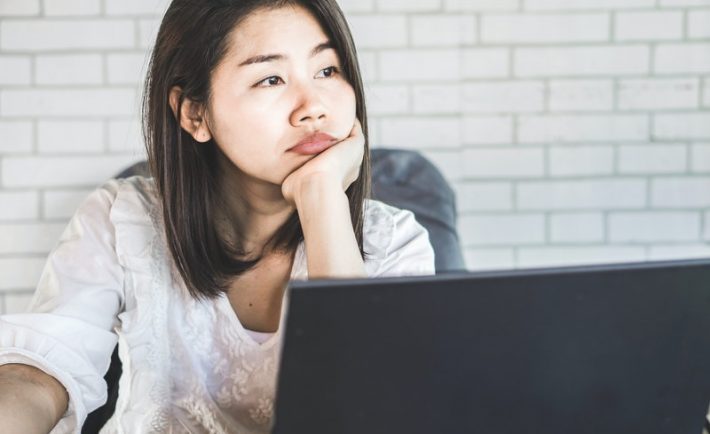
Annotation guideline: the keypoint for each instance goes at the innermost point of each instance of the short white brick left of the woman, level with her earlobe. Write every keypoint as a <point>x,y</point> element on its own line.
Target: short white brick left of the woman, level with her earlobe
<point>70,136</point>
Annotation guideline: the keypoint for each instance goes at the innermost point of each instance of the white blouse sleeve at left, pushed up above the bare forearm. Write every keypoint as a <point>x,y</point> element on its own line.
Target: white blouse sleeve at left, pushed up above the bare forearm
<point>67,331</point>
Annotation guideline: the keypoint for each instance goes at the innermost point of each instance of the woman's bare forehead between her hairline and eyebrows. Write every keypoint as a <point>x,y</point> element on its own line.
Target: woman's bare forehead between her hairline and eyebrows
<point>289,28</point>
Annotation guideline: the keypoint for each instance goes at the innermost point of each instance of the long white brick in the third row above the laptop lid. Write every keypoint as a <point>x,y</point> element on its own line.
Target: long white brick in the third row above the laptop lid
<point>582,194</point>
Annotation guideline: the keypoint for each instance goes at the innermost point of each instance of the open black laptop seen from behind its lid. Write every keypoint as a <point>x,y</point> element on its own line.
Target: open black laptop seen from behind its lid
<point>607,349</point>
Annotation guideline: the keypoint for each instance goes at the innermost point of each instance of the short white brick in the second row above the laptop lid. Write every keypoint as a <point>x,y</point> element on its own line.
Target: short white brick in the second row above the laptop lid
<point>577,227</point>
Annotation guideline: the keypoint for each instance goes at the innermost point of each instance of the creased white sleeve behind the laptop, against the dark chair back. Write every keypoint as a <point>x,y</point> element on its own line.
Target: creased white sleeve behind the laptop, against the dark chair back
<point>408,251</point>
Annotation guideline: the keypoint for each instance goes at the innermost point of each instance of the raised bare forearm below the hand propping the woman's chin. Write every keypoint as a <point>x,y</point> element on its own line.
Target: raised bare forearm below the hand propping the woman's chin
<point>331,247</point>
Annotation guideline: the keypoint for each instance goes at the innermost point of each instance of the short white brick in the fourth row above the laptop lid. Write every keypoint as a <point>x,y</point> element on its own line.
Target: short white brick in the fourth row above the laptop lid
<point>581,160</point>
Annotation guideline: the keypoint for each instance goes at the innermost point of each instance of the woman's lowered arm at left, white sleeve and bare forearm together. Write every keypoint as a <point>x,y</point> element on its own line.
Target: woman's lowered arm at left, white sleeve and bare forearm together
<point>67,331</point>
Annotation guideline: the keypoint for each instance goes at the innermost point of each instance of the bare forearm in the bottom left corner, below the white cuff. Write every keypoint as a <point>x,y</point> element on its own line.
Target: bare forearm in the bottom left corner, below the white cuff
<point>31,401</point>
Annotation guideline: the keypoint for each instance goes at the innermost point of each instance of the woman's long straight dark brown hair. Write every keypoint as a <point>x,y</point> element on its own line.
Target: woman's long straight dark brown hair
<point>191,42</point>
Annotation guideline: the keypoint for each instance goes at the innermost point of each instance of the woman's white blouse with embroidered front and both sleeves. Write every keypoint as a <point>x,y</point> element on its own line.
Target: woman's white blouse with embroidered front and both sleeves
<point>188,366</point>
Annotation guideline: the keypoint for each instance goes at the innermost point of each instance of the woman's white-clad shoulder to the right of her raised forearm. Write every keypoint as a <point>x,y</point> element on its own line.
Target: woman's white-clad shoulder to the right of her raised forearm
<point>394,242</point>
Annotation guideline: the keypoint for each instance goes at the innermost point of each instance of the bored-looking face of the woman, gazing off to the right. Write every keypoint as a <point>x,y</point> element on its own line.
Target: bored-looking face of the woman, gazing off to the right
<point>261,108</point>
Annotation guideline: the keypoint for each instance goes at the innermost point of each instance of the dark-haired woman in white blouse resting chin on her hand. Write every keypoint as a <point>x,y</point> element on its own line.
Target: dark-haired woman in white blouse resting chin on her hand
<point>256,132</point>
